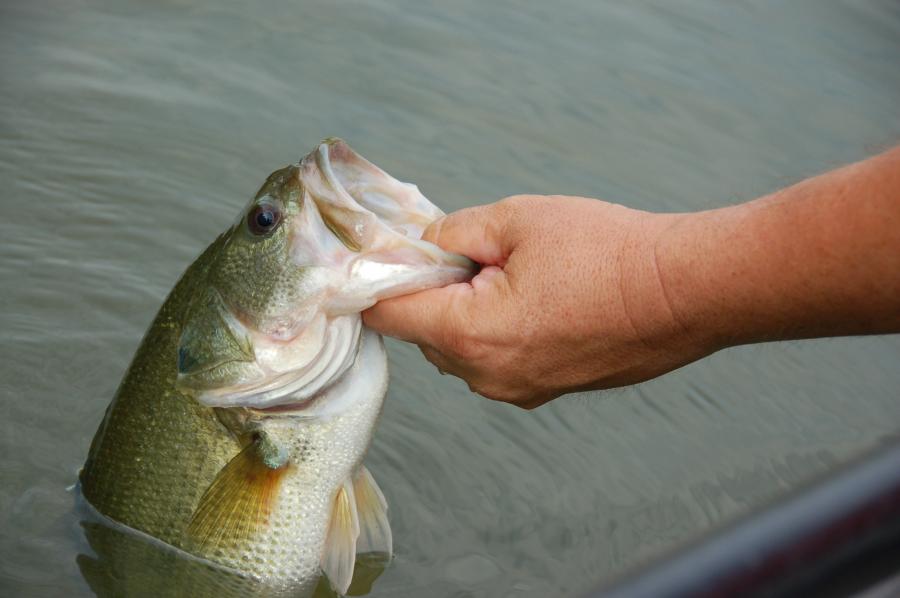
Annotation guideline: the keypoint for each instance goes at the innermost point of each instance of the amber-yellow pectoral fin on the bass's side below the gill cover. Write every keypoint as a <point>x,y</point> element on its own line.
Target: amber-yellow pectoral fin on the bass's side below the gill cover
<point>238,502</point>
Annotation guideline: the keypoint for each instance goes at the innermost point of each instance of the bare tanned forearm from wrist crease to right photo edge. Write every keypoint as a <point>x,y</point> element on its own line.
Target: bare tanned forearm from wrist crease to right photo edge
<point>820,258</point>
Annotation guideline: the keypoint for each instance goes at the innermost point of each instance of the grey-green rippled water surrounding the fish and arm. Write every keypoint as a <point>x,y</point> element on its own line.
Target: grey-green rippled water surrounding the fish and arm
<point>132,132</point>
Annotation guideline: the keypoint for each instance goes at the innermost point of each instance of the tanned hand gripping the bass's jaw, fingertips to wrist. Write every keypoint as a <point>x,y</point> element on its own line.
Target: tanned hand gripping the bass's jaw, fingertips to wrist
<point>569,298</point>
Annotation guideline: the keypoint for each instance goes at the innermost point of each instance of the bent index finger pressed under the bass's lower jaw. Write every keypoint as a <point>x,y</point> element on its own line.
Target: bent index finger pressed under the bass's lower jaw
<point>423,317</point>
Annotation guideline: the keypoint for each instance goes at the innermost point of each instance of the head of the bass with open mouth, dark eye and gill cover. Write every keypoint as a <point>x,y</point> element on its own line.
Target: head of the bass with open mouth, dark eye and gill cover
<point>277,316</point>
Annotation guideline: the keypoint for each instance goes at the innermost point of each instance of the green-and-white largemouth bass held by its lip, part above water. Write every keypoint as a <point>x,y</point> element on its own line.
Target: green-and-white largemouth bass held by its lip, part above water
<point>238,432</point>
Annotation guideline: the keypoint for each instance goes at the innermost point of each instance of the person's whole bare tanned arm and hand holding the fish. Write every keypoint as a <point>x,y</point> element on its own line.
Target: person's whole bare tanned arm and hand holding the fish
<point>578,294</point>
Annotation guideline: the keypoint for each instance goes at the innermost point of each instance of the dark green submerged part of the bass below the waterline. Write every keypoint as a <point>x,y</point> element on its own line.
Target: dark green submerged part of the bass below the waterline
<point>127,564</point>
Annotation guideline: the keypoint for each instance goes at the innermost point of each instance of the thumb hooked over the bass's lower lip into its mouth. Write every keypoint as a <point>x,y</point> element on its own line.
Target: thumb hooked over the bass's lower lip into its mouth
<point>479,233</point>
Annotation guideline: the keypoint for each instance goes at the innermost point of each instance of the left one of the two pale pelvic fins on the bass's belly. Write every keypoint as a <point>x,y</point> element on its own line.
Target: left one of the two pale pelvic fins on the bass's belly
<point>339,552</point>
